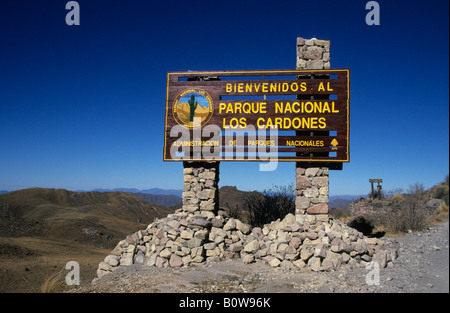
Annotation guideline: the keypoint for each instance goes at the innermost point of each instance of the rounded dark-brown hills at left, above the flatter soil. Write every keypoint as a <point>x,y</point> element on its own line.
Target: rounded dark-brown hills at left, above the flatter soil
<point>62,213</point>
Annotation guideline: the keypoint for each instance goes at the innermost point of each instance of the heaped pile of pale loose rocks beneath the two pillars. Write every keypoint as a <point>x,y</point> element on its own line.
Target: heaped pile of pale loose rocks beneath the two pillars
<point>298,241</point>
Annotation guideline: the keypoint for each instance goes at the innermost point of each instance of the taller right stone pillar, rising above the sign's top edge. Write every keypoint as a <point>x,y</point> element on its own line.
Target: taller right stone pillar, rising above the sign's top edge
<point>311,183</point>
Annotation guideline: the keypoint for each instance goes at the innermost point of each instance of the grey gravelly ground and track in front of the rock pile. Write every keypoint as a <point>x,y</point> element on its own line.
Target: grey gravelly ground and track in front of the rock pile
<point>422,266</point>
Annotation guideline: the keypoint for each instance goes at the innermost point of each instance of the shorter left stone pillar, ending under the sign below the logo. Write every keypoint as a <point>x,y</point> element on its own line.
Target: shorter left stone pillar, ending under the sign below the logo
<point>200,189</point>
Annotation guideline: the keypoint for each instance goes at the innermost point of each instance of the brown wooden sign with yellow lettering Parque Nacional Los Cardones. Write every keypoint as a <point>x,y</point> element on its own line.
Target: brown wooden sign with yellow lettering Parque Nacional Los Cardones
<point>282,115</point>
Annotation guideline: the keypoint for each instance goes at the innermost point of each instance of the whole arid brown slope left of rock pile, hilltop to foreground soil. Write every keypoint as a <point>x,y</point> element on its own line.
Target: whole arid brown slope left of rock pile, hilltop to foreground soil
<point>42,229</point>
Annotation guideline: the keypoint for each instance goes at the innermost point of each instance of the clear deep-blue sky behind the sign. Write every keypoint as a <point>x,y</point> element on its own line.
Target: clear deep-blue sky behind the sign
<point>82,107</point>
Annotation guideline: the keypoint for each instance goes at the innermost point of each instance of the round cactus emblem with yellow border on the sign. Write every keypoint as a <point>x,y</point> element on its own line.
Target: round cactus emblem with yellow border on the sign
<point>193,108</point>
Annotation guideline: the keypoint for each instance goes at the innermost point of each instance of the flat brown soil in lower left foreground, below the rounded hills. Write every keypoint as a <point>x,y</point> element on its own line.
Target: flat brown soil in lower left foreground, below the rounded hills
<point>30,264</point>
